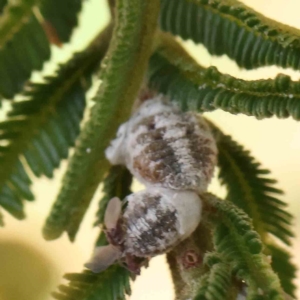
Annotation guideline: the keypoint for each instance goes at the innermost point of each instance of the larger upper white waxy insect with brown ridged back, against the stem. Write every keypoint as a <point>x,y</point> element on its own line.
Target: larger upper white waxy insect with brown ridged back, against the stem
<point>165,147</point>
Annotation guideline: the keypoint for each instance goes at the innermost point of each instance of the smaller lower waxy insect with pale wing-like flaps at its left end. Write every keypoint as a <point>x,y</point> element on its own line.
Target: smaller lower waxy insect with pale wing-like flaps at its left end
<point>153,222</point>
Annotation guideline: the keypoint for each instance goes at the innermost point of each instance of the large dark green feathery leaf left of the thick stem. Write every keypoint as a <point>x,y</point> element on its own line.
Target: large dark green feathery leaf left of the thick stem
<point>43,127</point>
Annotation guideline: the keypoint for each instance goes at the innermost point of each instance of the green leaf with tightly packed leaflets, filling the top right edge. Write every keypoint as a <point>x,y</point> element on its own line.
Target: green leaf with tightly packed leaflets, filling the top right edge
<point>230,27</point>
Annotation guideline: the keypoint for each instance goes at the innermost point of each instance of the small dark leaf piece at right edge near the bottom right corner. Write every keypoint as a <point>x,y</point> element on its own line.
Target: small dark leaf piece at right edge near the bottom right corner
<point>285,269</point>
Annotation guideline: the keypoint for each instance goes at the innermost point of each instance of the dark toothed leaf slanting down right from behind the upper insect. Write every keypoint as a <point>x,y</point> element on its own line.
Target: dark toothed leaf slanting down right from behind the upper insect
<point>250,188</point>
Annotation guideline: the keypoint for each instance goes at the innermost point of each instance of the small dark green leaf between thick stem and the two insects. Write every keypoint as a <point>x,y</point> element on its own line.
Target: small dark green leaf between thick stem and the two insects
<point>116,184</point>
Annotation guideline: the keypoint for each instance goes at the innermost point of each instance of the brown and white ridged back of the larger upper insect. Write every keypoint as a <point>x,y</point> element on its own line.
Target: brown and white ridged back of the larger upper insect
<point>174,155</point>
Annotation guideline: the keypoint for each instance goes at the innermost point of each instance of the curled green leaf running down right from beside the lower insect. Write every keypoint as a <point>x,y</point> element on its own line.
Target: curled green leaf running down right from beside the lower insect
<point>237,242</point>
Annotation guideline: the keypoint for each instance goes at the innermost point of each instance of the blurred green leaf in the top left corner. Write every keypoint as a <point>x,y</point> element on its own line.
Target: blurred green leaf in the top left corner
<point>24,46</point>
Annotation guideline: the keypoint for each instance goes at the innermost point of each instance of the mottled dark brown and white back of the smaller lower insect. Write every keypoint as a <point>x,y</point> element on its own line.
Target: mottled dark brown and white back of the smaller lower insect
<point>152,225</point>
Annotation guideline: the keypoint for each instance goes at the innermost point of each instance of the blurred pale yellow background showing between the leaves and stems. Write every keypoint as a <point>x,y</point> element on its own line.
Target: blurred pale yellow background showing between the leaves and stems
<point>31,268</point>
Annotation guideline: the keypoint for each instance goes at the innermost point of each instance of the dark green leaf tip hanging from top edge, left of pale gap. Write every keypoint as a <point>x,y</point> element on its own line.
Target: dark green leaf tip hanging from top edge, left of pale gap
<point>62,16</point>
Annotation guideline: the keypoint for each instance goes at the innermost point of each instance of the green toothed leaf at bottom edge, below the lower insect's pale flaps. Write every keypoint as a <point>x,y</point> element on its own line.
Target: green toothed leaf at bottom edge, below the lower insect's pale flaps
<point>111,284</point>
